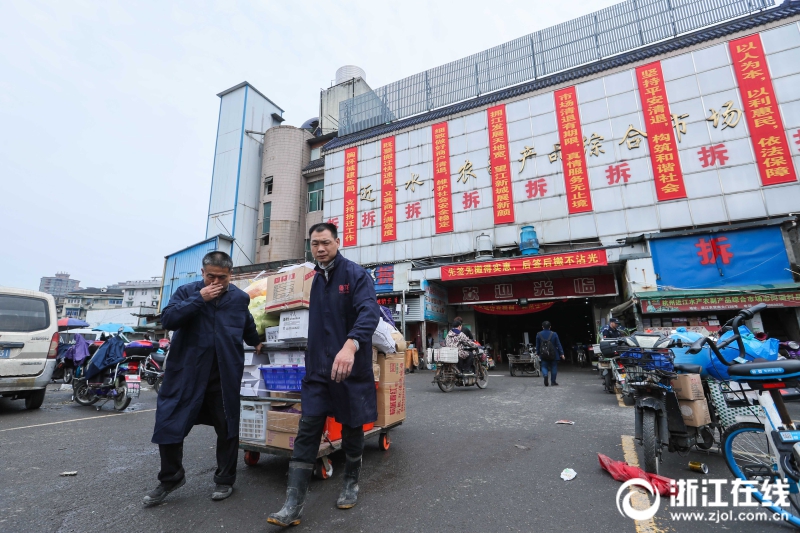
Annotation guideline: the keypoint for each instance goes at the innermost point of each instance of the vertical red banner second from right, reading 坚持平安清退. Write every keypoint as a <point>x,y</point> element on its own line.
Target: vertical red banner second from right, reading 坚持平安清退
<point>660,135</point>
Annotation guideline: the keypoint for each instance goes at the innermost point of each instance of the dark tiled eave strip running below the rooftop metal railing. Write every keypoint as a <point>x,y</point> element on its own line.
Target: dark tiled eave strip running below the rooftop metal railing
<point>788,9</point>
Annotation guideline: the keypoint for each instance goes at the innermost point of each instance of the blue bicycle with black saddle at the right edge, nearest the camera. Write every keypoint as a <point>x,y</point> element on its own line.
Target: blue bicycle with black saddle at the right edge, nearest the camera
<point>763,446</point>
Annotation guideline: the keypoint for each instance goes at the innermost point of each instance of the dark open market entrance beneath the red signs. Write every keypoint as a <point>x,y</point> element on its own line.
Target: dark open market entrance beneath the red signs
<point>571,319</point>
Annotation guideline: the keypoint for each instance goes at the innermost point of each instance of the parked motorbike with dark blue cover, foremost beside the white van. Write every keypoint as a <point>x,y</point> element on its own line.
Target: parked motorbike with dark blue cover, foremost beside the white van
<point>108,375</point>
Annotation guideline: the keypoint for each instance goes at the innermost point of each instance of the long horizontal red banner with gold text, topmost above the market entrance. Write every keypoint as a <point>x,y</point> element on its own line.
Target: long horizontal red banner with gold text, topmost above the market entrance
<point>530,265</point>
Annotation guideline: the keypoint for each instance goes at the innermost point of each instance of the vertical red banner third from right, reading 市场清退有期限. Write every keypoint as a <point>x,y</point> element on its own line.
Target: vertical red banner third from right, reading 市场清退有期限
<point>573,158</point>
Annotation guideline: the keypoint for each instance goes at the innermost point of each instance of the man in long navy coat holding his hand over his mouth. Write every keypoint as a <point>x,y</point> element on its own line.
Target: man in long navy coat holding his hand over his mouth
<point>202,380</point>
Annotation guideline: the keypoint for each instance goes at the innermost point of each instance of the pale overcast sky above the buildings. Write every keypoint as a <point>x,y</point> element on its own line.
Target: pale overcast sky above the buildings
<point>109,109</point>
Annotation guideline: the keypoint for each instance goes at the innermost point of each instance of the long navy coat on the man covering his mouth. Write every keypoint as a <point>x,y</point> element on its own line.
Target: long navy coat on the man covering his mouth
<point>201,329</point>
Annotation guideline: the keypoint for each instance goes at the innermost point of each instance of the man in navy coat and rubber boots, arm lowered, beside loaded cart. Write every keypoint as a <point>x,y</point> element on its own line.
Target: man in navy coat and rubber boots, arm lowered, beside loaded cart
<point>339,381</point>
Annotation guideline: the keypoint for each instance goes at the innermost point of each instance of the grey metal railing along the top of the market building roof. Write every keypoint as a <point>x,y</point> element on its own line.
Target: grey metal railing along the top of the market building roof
<point>608,32</point>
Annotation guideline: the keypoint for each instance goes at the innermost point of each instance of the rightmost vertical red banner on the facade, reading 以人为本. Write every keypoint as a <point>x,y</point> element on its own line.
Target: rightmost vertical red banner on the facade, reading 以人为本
<point>773,156</point>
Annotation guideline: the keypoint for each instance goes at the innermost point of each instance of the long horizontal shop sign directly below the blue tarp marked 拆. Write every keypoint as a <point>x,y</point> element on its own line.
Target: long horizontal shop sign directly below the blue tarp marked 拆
<point>784,295</point>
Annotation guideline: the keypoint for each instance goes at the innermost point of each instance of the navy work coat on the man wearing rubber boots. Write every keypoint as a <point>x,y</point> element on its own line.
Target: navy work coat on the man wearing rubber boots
<point>342,308</point>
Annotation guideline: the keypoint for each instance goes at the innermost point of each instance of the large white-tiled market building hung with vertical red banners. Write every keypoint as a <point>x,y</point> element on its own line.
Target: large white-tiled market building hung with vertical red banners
<point>643,166</point>
